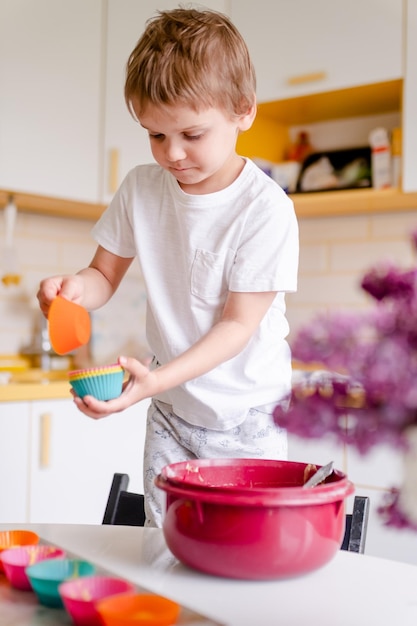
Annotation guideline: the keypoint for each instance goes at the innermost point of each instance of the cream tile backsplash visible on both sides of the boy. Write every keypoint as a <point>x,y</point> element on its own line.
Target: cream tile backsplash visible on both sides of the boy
<point>334,253</point>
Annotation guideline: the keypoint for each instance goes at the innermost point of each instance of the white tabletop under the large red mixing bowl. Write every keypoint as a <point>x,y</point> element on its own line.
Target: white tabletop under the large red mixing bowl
<point>351,590</point>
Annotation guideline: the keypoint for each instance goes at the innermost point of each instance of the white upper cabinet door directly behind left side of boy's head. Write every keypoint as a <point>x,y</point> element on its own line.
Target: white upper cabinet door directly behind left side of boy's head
<point>126,143</point>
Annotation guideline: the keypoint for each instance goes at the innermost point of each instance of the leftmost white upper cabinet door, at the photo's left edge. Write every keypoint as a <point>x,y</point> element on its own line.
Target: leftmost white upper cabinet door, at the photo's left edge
<point>50,77</point>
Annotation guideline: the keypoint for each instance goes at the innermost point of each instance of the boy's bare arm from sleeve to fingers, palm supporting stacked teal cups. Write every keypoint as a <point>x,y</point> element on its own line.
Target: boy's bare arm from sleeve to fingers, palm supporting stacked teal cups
<point>242,314</point>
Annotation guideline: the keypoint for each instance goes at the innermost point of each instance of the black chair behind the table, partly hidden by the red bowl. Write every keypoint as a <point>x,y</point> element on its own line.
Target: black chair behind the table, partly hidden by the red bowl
<point>128,509</point>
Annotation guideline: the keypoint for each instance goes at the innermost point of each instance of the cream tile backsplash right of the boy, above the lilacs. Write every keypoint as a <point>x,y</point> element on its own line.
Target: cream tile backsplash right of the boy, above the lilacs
<point>334,254</point>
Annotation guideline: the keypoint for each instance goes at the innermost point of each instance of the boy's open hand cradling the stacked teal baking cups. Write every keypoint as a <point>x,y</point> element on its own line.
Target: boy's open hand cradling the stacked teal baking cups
<point>141,384</point>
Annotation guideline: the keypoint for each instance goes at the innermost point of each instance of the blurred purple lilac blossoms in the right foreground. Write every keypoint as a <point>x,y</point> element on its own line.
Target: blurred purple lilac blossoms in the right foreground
<point>367,392</point>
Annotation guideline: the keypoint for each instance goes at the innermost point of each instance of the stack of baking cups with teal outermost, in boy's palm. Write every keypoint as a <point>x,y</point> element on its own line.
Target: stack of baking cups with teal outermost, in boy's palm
<point>104,383</point>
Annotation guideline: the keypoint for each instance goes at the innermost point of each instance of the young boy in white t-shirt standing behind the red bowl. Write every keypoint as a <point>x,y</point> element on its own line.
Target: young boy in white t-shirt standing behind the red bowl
<point>217,242</point>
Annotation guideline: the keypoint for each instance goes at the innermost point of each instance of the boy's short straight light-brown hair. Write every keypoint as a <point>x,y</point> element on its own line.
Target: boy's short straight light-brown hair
<point>191,57</point>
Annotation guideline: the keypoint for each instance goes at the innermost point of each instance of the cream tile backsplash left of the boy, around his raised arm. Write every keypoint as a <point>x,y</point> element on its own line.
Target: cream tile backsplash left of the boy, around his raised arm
<point>52,245</point>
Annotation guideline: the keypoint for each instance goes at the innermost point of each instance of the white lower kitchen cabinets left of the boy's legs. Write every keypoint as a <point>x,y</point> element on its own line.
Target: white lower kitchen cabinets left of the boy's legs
<point>57,465</point>
